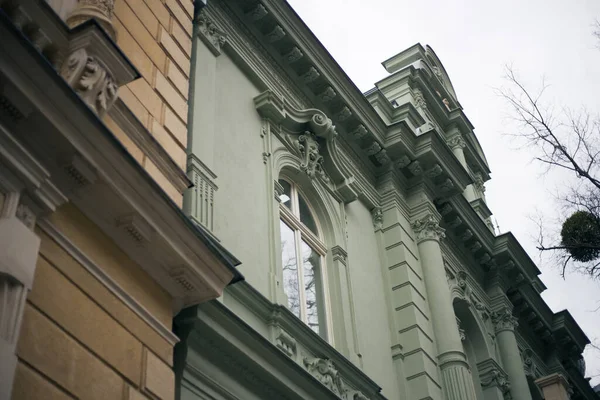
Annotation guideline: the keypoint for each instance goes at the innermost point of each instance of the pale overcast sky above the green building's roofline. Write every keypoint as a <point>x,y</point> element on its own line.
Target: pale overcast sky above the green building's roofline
<point>474,40</point>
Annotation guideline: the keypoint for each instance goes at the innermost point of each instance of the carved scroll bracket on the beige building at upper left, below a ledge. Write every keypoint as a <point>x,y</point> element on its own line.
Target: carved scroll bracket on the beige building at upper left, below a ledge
<point>91,80</point>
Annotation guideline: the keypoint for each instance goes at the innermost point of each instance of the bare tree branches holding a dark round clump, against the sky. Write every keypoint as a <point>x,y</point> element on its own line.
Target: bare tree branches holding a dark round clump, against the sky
<point>564,140</point>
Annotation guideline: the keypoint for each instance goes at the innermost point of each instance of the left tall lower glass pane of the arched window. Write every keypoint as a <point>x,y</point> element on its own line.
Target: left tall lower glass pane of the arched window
<point>290,268</point>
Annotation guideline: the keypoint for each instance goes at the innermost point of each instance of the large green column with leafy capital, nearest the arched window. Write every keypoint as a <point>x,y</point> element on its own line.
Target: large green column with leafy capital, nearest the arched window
<point>456,376</point>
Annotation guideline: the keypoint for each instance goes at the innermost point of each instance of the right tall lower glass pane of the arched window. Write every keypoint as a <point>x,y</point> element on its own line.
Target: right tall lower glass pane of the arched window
<point>311,263</point>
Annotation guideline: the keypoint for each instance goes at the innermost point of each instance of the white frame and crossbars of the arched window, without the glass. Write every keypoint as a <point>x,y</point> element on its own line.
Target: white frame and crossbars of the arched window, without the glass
<point>291,217</point>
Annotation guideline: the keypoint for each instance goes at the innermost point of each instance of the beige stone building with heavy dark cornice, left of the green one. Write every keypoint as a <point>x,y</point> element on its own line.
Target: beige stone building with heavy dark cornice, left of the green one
<point>96,256</point>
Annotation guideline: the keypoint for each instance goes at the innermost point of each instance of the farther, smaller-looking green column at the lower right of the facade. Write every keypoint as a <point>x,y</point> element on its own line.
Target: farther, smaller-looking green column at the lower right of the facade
<point>505,324</point>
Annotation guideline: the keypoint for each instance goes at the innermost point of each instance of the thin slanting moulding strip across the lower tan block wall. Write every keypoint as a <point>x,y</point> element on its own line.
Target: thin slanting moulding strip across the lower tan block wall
<point>112,286</point>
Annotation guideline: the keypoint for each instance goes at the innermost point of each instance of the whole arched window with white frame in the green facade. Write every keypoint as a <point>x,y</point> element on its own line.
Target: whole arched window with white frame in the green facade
<point>302,256</point>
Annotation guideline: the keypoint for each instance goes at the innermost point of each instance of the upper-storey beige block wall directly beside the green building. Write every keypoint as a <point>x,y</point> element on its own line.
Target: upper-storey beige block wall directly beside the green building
<point>156,36</point>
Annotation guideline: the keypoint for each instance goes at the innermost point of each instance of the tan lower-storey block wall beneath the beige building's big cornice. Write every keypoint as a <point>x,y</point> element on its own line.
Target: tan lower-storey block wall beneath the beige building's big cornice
<point>86,329</point>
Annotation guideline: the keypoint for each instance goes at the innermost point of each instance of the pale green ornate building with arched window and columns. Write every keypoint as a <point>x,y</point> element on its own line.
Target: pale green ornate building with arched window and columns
<point>371,267</point>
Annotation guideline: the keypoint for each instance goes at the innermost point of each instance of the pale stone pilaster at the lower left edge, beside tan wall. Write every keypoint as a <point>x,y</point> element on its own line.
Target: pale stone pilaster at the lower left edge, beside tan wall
<point>18,257</point>
